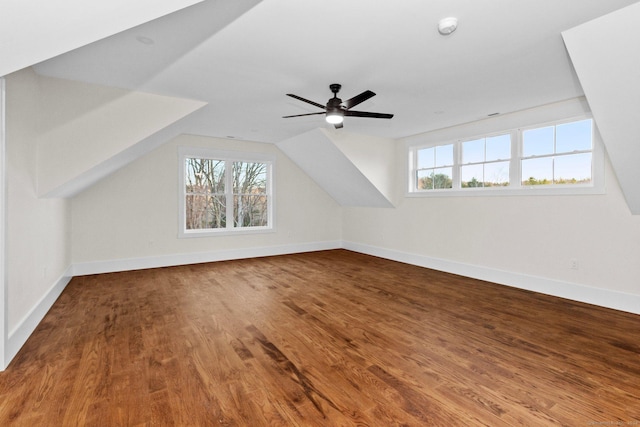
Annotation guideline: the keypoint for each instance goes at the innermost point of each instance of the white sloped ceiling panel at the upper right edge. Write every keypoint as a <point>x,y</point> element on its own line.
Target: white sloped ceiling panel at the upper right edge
<point>605,55</point>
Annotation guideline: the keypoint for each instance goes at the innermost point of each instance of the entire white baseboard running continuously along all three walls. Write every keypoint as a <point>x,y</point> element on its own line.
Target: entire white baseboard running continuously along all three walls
<point>596,296</point>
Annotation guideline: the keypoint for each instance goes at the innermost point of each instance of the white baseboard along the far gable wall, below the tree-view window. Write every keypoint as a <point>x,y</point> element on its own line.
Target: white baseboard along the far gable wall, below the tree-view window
<point>111,266</point>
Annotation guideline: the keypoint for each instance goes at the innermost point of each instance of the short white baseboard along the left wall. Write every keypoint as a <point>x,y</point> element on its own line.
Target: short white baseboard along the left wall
<point>19,335</point>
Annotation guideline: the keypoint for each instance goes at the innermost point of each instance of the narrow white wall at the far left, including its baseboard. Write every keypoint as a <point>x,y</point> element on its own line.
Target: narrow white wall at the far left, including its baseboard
<point>38,231</point>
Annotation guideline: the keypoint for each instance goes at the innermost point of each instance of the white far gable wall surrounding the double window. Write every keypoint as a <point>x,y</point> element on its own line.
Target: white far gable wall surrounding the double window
<point>130,219</point>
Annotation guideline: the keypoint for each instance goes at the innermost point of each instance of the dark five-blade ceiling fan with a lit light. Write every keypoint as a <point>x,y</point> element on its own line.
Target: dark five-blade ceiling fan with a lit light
<point>336,109</point>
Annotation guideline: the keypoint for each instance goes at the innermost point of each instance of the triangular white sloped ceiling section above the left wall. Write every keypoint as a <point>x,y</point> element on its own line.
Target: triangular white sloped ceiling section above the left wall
<point>86,129</point>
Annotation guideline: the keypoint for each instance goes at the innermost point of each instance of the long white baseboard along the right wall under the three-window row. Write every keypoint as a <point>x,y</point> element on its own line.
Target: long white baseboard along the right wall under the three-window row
<point>572,291</point>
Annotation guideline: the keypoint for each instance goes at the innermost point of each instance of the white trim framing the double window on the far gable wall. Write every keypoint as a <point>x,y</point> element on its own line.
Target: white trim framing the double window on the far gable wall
<point>227,156</point>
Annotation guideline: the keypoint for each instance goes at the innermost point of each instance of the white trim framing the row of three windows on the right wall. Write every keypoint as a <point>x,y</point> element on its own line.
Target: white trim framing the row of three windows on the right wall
<point>597,186</point>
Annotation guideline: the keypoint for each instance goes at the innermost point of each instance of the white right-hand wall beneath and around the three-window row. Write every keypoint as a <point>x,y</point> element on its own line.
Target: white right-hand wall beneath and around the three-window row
<point>523,241</point>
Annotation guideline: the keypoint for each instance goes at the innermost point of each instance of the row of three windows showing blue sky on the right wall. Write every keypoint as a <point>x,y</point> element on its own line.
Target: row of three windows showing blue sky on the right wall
<point>558,156</point>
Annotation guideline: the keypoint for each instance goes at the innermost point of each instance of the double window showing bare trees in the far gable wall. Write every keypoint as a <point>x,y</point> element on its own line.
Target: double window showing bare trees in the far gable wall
<point>224,192</point>
